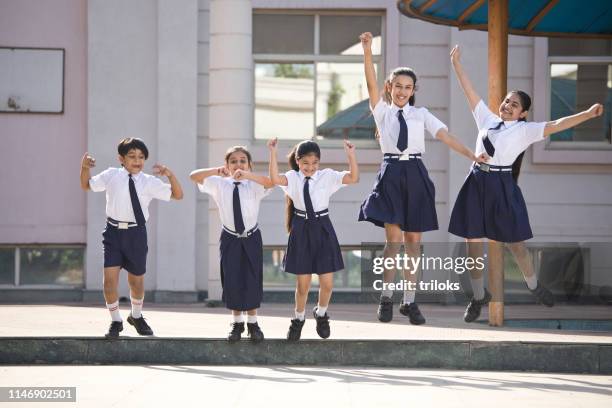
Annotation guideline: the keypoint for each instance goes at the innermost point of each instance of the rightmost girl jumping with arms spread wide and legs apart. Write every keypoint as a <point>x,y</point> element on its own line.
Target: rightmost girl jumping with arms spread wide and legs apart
<point>490,203</point>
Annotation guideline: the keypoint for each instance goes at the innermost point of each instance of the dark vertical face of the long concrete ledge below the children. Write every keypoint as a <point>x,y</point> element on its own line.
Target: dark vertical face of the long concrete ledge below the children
<point>459,355</point>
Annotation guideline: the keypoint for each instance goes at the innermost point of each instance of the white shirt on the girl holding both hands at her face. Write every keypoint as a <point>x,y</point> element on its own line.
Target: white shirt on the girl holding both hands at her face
<point>221,189</point>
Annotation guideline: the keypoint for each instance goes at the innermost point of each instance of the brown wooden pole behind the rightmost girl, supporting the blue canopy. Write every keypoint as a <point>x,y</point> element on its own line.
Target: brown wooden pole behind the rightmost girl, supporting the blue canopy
<point>498,74</point>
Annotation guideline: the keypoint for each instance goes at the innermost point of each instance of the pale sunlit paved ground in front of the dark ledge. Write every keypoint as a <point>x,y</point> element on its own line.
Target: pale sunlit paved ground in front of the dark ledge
<point>294,387</point>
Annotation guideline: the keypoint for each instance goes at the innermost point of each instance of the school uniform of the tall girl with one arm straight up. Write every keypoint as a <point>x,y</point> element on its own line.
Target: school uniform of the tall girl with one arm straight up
<point>403,193</point>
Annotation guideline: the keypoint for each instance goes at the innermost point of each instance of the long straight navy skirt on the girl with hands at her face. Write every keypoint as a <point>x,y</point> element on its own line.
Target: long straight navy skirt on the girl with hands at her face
<point>241,270</point>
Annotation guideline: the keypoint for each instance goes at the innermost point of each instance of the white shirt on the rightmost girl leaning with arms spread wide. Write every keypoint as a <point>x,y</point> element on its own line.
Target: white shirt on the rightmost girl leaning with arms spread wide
<point>510,140</point>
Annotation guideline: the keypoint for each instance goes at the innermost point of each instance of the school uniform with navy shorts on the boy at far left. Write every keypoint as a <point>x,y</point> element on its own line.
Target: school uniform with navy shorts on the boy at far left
<point>127,209</point>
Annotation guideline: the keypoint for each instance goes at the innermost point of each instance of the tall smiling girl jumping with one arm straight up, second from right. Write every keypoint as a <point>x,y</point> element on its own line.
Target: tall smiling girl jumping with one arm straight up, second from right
<point>403,200</point>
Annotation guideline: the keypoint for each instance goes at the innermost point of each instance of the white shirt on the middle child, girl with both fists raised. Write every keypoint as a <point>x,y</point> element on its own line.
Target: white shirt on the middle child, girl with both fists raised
<point>323,183</point>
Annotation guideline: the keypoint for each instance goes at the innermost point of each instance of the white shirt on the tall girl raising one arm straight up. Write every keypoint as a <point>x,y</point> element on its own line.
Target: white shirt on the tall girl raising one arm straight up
<point>417,120</point>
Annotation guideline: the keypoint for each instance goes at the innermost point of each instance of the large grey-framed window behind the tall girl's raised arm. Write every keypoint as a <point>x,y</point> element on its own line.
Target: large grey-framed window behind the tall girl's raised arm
<point>309,67</point>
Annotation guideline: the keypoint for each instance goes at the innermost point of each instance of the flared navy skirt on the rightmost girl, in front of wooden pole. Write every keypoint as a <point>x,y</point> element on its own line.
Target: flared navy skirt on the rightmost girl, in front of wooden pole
<point>490,205</point>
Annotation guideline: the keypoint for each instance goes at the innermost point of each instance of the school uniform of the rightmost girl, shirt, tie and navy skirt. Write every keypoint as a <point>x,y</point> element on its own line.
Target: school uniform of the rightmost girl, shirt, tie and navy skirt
<point>490,203</point>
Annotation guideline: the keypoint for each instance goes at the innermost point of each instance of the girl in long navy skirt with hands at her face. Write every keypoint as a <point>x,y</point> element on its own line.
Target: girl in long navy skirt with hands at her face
<point>238,192</point>
